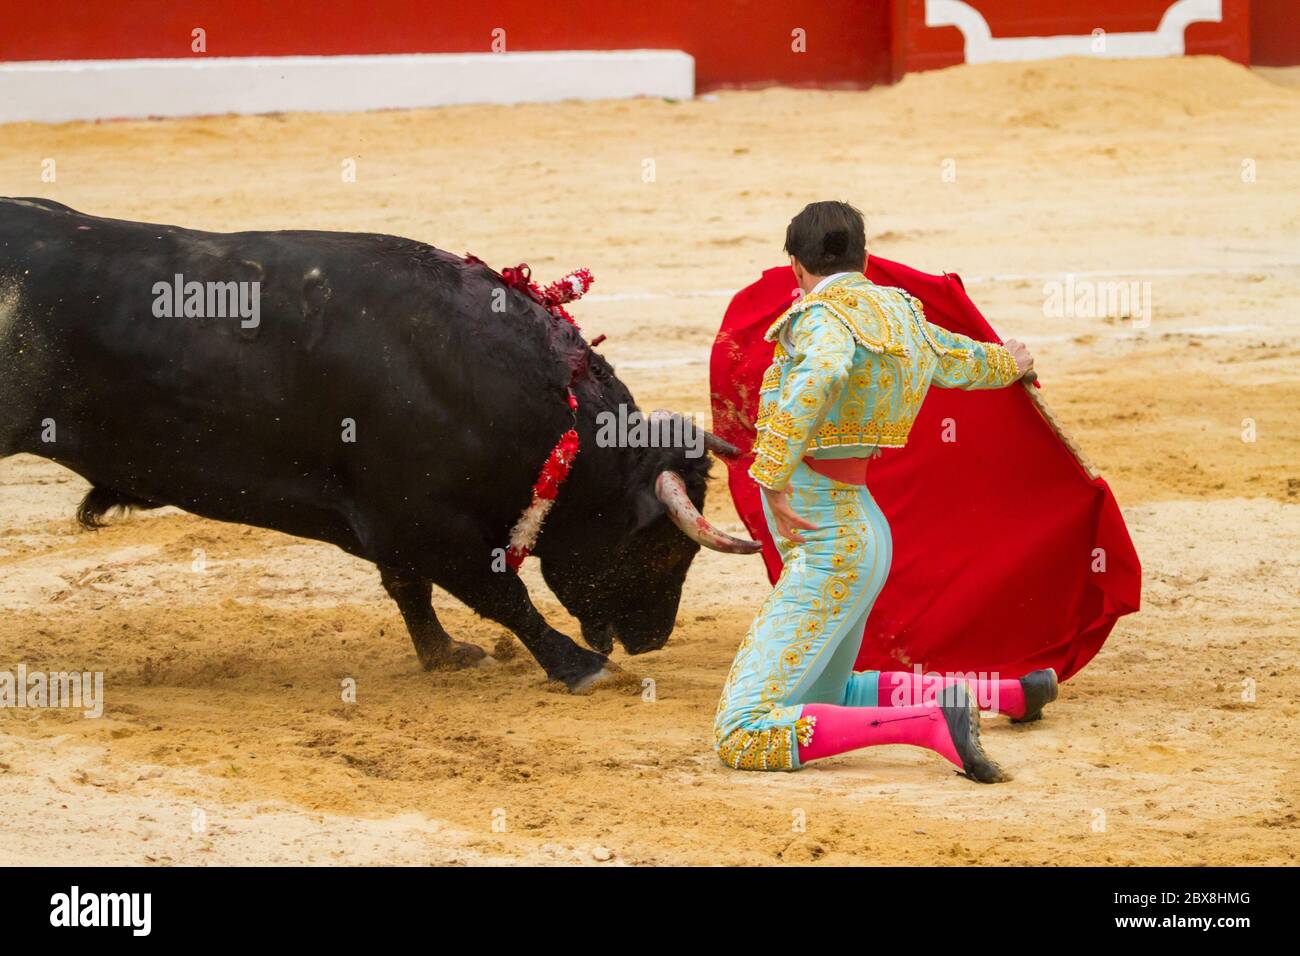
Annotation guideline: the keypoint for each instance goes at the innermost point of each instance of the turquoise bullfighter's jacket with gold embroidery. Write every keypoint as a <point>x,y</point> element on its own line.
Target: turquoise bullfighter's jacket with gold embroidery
<point>853,364</point>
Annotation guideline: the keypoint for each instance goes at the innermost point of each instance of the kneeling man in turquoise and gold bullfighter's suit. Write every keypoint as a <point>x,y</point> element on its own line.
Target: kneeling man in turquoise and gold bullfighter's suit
<point>852,366</point>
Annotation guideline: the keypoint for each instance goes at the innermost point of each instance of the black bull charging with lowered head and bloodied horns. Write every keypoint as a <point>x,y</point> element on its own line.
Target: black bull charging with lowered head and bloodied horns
<point>385,397</point>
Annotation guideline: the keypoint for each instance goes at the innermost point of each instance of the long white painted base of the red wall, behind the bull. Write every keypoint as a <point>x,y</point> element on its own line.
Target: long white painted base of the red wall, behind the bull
<point>55,92</point>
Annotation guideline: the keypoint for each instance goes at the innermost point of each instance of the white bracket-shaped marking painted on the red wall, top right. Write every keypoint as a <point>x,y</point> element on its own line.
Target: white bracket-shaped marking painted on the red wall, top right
<point>1168,40</point>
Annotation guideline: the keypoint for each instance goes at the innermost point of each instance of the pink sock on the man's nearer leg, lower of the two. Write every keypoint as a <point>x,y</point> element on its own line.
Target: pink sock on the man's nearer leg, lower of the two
<point>839,730</point>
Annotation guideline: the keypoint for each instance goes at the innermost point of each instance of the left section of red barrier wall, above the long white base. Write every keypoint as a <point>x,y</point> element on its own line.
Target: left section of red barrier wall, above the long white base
<point>735,42</point>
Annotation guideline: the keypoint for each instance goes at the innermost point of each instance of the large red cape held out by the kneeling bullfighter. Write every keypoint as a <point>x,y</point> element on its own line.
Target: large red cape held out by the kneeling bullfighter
<point>996,535</point>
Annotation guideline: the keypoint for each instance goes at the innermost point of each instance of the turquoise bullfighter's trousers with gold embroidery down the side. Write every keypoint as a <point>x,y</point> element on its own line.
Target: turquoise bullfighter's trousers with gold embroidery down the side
<point>807,637</point>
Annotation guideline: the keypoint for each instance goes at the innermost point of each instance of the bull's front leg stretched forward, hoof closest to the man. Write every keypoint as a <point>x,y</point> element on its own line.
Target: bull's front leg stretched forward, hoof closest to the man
<point>502,598</point>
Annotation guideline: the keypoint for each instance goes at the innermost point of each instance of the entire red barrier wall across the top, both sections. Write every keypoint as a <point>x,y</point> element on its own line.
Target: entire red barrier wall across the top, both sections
<point>735,42</point>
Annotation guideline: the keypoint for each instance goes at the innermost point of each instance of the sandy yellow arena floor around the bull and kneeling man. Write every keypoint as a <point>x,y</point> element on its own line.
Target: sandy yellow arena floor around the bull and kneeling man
<point>226,739</point>
